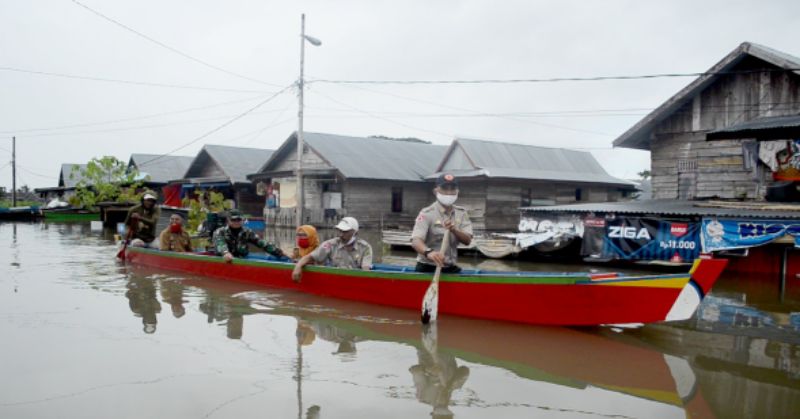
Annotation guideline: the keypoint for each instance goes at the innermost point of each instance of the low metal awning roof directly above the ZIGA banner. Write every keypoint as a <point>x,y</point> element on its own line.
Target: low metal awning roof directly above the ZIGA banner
<point>671,207</point>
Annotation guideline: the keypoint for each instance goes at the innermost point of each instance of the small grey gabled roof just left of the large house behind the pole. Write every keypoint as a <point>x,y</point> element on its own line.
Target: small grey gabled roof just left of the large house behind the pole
<point>235,162</point>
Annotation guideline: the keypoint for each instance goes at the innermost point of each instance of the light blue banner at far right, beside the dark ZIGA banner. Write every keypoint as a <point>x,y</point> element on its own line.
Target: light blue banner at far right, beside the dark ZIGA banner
<point>738,233</point>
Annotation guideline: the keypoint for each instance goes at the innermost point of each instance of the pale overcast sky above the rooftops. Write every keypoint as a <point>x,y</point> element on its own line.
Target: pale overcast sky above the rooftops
<point>217,59</point>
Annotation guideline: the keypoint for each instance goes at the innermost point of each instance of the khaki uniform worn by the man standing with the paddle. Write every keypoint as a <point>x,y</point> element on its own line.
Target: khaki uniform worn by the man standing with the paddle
<point>429,228</point>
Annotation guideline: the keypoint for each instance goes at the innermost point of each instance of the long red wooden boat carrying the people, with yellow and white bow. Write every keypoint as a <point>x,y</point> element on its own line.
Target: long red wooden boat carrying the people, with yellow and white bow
<point>525,297</point>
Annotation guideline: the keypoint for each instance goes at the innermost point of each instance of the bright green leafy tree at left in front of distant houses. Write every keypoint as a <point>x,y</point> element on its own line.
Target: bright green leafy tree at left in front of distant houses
<point>105,179</point>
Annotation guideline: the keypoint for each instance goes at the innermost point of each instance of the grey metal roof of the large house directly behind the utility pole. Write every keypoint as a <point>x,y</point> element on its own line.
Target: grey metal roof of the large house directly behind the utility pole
<point>376,158</point>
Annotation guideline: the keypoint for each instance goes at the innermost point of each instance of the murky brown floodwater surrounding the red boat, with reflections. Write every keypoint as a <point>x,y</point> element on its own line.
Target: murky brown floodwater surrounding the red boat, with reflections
<point>85,336</point>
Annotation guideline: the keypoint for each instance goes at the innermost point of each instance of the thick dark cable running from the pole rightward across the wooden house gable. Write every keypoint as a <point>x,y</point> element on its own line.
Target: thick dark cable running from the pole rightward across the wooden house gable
<point>550,79</point>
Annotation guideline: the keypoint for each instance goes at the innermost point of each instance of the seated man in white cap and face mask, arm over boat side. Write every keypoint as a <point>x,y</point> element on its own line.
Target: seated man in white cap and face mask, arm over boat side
<point>345,251</point>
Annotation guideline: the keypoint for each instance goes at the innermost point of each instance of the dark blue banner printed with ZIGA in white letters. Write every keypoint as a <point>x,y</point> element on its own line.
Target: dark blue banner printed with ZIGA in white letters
<point>651,239</point>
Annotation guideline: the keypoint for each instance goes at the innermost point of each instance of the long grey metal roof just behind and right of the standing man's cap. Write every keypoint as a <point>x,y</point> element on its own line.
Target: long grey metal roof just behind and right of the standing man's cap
<point>517,161</point>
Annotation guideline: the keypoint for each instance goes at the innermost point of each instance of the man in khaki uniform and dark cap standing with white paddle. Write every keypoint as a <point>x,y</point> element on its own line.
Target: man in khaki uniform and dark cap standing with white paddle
<point>433,221</point>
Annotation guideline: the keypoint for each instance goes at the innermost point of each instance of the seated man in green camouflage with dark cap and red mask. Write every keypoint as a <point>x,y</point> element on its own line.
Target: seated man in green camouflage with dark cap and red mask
<point>233,239</point>
